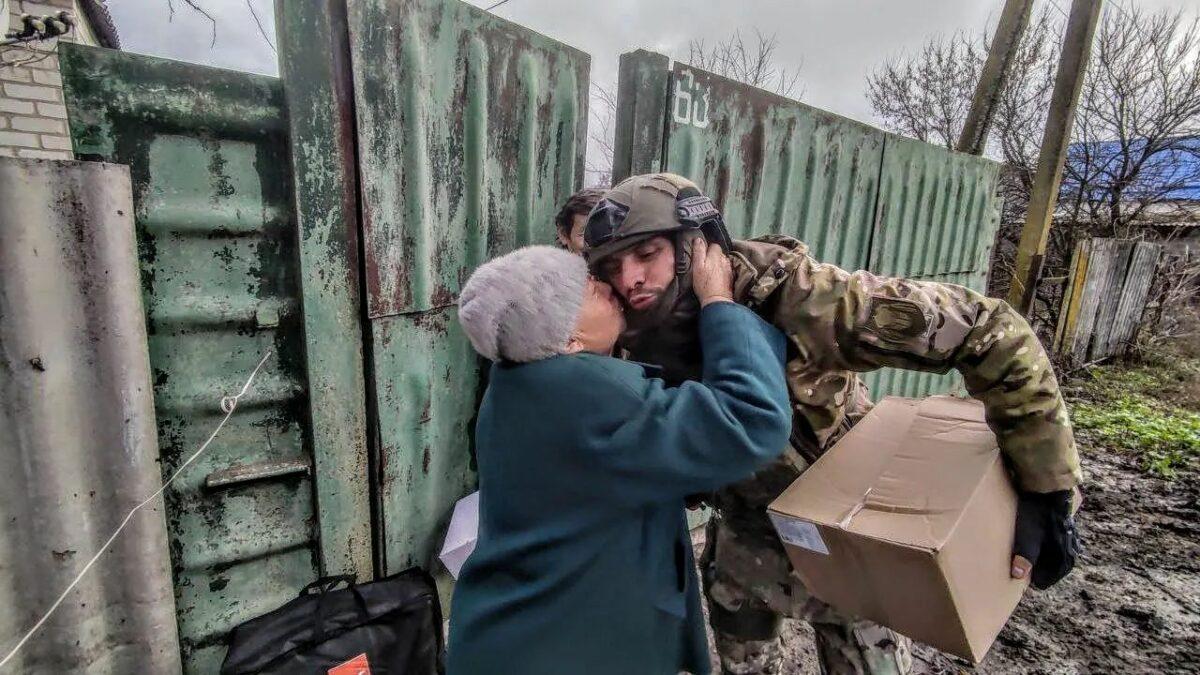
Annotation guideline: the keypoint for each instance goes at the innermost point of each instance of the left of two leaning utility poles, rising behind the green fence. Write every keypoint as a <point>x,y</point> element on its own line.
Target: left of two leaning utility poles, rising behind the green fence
<point>1013,22</point>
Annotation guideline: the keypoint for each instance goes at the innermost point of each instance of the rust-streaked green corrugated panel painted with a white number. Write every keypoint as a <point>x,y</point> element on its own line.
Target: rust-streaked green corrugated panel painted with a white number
<point>775,165</point>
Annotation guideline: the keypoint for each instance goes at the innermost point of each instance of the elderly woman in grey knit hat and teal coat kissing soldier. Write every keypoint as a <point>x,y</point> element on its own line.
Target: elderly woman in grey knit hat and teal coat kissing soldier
<point>584,563</point>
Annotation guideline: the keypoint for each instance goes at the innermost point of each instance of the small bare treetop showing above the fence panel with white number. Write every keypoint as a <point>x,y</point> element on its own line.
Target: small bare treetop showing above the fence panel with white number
<point>755,64</point>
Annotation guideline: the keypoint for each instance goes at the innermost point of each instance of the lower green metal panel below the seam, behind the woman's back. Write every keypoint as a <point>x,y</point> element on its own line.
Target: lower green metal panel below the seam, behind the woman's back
<point>428,403</point>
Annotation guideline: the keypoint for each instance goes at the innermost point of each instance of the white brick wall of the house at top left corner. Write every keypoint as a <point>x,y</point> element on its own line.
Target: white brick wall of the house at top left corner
<point>33,118</point>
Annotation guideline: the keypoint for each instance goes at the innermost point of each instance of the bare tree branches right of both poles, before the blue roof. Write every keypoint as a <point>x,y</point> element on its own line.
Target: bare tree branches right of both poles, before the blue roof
<point>1137,123</point>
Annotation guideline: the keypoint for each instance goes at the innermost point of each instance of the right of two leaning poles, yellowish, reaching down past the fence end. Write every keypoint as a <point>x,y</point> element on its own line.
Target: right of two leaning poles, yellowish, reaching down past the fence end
<point>1077,47</point>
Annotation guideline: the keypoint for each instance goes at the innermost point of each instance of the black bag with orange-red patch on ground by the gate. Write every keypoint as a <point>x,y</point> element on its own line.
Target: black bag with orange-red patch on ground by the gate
<point>388,628</point>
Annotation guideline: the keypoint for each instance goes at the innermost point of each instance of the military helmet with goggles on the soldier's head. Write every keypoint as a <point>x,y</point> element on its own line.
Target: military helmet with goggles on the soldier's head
<point>647,206</point>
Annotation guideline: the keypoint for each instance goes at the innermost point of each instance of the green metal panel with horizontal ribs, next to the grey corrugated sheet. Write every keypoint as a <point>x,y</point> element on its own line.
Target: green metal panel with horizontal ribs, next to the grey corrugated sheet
<point>218,246</point>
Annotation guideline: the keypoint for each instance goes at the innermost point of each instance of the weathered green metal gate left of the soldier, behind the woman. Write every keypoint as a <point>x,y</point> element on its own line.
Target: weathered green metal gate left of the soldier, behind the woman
<point>427,136</point>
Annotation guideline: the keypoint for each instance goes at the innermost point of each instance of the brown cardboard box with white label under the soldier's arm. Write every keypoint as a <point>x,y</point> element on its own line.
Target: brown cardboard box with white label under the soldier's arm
<point>909,522</point>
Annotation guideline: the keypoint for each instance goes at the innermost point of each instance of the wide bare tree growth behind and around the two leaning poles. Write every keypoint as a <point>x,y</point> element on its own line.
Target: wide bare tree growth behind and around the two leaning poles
<point>1138,117</point>
